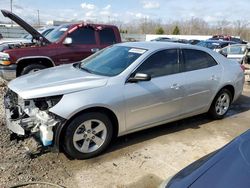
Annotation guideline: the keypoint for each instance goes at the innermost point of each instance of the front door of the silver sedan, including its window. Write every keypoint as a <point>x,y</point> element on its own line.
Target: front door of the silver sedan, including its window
<point>159,99</point>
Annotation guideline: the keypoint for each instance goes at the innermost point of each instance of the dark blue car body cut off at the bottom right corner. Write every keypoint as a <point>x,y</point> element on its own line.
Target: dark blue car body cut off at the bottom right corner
<point>228,167</point>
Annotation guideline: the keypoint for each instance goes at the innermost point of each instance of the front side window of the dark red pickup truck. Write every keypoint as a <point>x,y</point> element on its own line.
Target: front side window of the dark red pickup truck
<point>83,36</point>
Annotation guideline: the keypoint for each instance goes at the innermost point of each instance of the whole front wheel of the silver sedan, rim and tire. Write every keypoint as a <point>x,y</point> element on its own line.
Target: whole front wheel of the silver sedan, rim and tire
<point>88,135</point>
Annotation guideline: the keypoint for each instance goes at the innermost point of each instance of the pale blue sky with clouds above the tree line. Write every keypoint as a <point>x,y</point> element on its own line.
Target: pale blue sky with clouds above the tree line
<point>127,10</point>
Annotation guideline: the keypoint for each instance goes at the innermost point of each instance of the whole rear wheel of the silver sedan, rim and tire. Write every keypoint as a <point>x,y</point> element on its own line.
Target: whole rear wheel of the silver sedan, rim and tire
<point>221,104</point>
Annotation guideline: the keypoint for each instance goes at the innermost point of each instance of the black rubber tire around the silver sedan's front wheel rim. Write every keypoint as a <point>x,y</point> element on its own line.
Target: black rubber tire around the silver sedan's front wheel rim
<point>68,143</point>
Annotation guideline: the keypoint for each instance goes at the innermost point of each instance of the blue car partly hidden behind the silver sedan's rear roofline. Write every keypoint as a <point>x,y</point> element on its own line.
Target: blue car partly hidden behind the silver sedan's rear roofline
<point>215,45</point>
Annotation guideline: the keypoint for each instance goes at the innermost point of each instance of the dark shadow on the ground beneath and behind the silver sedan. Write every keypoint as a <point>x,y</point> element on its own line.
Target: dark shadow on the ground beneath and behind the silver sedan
<point>240,106</point>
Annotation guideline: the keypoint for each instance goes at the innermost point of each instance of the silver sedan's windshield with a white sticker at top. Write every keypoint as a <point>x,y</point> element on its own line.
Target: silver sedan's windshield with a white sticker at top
<point>112,60</point>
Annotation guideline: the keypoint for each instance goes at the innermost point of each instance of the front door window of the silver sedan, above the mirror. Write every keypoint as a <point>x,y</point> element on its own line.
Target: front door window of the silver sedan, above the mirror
<point>161,63</point>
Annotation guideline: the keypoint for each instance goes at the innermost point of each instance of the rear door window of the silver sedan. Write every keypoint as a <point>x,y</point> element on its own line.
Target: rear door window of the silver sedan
<point>196,59</point>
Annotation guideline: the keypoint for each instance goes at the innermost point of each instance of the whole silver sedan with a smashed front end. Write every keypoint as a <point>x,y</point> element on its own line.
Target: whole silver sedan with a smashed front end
<point>119,90</point>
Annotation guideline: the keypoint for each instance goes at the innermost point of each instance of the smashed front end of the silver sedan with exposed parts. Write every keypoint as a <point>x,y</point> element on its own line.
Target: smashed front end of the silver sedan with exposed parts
<point>32,117</point>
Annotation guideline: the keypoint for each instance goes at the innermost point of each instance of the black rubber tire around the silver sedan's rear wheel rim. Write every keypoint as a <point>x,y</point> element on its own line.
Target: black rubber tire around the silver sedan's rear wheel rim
<point>212,111</point>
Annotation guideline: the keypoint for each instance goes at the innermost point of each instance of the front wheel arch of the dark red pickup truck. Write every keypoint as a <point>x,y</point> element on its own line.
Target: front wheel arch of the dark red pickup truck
<point>25,61</point>
